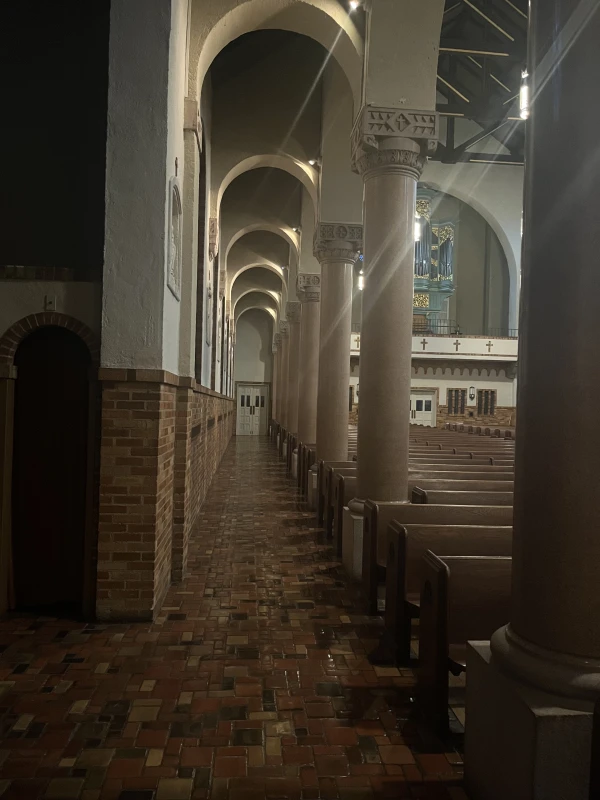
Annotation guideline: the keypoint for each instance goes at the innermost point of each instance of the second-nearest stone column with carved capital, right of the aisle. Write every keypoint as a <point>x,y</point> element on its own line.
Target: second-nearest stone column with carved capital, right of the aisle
<point>390,148</point>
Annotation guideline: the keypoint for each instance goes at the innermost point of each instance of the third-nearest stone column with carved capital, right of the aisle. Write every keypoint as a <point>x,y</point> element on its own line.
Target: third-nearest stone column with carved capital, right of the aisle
<point>337,248</point>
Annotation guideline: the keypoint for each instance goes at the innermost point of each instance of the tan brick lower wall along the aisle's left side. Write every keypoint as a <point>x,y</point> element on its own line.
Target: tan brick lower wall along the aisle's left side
<point>162,441</point>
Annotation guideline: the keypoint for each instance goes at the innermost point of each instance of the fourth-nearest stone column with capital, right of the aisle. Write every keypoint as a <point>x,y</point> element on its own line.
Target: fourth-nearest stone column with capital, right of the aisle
<point>309,292</point>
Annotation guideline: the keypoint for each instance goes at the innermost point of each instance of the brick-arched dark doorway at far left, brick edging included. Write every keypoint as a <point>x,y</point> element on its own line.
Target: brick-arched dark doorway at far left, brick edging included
<point>49,538</point>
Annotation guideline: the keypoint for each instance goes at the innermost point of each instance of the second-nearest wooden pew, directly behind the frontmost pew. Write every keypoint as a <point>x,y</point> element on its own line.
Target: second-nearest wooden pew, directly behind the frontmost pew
<point>407,544</point>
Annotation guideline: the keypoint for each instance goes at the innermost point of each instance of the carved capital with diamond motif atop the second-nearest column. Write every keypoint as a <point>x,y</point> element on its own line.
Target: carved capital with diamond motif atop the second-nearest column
<point>392,140</point>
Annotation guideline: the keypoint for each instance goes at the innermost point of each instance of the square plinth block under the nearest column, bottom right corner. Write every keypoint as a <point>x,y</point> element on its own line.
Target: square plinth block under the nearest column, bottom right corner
<point>521,742</point>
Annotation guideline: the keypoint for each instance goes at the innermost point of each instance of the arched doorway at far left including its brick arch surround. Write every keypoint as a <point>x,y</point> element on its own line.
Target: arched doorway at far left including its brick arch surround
<point>40,357</point>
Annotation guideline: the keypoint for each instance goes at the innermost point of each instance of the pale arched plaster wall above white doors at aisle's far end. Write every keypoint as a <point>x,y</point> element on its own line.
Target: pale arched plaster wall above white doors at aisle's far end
<point>253,356</point>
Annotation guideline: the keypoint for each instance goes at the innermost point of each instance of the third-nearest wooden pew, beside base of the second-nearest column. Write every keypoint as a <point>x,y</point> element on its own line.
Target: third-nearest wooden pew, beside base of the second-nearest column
<point>379,515</point>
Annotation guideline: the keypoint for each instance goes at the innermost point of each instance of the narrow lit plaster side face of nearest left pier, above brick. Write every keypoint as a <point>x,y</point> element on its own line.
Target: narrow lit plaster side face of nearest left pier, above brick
<point>175,152</point>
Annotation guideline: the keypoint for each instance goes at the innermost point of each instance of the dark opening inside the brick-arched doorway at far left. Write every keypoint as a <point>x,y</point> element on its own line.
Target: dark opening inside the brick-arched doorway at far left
<point>50,471</point>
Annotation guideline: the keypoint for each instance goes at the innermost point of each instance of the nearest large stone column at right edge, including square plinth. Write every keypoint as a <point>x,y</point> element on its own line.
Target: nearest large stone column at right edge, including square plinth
<point>544,666</point>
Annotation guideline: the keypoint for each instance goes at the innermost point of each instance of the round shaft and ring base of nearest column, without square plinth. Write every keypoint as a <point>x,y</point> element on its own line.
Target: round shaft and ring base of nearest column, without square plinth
<point>553,640</point>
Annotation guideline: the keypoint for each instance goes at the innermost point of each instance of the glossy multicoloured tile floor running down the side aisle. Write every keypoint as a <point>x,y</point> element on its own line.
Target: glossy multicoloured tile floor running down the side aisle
<point>253,683</point>
